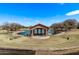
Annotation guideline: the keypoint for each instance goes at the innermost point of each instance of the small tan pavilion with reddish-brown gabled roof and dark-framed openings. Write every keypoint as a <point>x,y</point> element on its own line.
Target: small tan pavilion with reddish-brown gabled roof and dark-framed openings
<point>39,30</point>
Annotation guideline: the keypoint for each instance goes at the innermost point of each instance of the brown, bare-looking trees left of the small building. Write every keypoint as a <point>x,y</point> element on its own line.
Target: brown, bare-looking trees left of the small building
<point>11,26</point>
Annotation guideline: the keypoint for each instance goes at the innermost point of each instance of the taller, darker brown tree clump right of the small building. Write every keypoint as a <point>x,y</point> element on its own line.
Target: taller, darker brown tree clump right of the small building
<point>64,26</point>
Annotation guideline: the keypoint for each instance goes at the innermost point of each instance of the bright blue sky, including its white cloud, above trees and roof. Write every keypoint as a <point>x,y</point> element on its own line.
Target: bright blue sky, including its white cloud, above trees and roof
<point>45,13</point>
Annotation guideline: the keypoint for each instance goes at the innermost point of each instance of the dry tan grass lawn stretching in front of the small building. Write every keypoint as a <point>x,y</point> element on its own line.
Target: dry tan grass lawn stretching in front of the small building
<point>53,43</point>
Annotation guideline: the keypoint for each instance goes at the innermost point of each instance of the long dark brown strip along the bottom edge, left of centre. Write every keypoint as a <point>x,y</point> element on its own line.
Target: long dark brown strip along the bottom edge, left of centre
<point>27,52</point>
